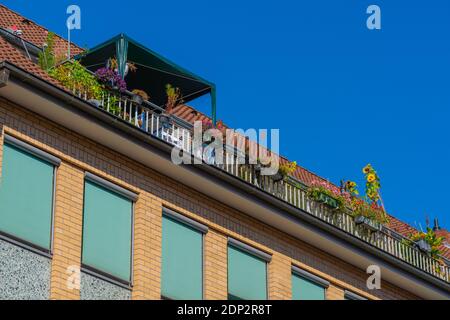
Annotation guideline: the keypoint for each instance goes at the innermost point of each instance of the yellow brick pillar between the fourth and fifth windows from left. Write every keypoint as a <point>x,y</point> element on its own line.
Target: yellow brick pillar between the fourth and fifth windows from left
<point>280,278</point>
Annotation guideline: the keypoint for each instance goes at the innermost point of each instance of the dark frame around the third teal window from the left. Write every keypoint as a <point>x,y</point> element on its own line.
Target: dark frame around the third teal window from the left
<point>199,227</point>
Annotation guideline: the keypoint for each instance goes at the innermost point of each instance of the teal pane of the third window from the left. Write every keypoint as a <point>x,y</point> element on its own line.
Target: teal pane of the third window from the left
<point>182,261</point>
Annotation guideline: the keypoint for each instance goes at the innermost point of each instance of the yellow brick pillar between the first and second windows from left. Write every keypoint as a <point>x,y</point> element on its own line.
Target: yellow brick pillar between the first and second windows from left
<point>67,233</point>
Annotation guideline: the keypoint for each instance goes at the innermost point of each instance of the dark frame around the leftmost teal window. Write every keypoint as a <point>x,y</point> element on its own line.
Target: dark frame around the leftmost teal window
<point>56,163</point>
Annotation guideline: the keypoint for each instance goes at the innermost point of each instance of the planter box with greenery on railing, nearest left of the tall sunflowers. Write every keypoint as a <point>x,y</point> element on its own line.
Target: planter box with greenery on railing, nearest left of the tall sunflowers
<point>328,194</point>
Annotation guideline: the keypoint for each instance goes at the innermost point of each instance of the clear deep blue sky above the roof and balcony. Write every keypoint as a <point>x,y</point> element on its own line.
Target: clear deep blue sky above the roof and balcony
<point>343,96</point>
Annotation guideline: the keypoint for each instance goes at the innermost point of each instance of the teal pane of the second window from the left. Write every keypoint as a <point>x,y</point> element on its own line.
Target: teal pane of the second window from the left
<point>107,225</point>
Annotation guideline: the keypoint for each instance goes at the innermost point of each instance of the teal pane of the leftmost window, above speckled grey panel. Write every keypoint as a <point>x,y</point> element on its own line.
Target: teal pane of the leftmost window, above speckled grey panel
<point>26,197</point>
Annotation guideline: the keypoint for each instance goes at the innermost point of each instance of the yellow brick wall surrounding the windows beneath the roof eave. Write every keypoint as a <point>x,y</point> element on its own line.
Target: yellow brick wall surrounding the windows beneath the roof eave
<point>155,191</point>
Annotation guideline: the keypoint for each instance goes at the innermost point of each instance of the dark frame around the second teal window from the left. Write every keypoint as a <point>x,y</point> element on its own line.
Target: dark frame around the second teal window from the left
<point>132,197</point>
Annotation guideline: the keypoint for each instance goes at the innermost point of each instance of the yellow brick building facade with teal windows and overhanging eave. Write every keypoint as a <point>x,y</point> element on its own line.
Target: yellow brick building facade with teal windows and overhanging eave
<point>93,208</point>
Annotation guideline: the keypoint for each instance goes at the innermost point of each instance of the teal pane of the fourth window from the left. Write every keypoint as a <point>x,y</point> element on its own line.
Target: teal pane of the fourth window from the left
<point>247,276</point>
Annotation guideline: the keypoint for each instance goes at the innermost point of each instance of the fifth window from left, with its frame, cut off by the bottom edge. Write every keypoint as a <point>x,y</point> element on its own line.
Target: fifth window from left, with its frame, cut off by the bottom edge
<point>306,286</point>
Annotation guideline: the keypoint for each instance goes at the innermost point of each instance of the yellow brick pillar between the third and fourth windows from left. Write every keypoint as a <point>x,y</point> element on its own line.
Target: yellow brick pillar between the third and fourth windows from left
<point>216,260</point>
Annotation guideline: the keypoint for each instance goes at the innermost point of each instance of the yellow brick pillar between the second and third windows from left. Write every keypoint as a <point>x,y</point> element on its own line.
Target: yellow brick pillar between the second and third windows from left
<point>147,249</point>
